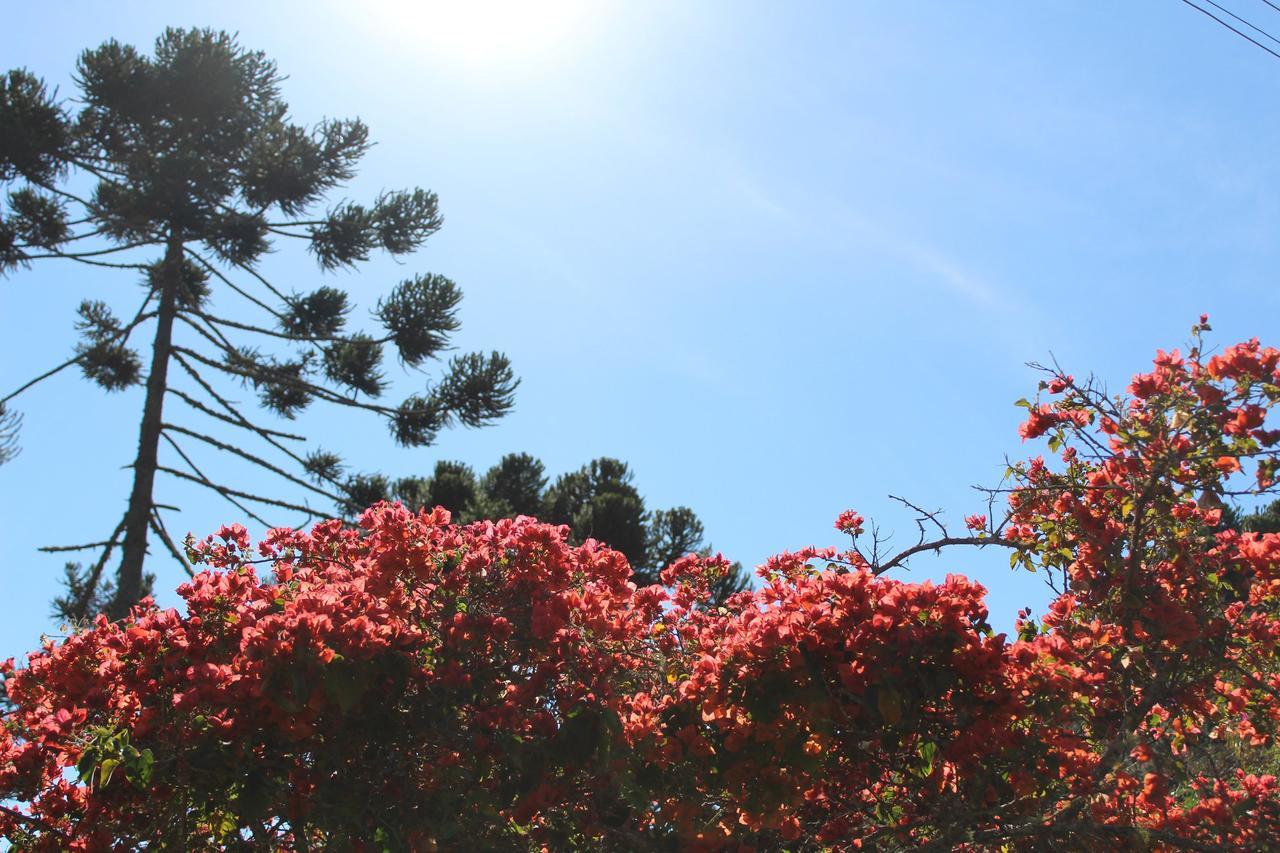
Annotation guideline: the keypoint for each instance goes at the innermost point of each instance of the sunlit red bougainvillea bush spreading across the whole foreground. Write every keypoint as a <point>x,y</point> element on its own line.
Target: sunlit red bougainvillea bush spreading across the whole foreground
<point>413,685</point>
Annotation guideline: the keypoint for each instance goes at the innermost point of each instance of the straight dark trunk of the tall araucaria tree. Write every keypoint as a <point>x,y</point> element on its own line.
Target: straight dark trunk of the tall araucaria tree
<point>138,519</point>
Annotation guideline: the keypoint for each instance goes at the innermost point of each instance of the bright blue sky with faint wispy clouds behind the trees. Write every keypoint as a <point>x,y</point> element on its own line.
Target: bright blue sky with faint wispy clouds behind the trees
<point>785,259</point>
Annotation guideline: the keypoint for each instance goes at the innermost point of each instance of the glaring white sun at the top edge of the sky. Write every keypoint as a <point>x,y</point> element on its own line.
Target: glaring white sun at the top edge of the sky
<point>484,34</point>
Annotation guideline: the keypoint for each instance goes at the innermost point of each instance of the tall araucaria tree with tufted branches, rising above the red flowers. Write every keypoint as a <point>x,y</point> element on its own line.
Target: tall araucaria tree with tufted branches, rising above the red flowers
<point>182,170</point>
